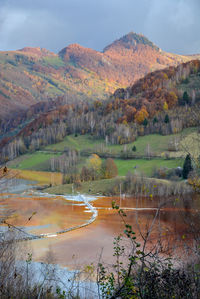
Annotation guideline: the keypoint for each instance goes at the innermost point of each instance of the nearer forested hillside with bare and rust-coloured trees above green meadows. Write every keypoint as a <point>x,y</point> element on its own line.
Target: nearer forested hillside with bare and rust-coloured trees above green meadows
<point>162,102</point>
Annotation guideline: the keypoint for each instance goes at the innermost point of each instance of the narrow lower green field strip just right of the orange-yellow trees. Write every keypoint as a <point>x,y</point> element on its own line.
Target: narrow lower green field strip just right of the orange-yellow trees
<point>145,166</point>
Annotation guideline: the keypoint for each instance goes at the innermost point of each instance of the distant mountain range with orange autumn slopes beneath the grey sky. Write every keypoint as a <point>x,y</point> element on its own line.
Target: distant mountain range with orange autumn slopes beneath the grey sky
<point>32,75</point>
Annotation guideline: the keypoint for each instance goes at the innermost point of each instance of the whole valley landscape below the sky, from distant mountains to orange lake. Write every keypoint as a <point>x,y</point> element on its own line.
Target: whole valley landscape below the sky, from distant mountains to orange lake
<point>101,145</point>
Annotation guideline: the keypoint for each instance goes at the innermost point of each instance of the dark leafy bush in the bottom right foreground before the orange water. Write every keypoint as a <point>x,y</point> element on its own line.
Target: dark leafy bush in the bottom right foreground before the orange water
<point>147,273</point>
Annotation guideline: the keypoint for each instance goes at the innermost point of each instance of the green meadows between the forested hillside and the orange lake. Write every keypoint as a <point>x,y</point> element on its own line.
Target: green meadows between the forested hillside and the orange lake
<point>159,145</point>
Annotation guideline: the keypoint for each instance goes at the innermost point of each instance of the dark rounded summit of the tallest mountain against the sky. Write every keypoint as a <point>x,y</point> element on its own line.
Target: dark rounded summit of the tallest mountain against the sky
<point>131,40</point>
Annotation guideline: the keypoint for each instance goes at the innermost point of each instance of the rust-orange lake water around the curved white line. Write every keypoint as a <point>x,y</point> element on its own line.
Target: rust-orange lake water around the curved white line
<point>177,221</point>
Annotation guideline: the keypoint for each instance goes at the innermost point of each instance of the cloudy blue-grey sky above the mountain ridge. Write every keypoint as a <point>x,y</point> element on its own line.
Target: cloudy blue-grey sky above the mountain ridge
<point>173,25</point>
